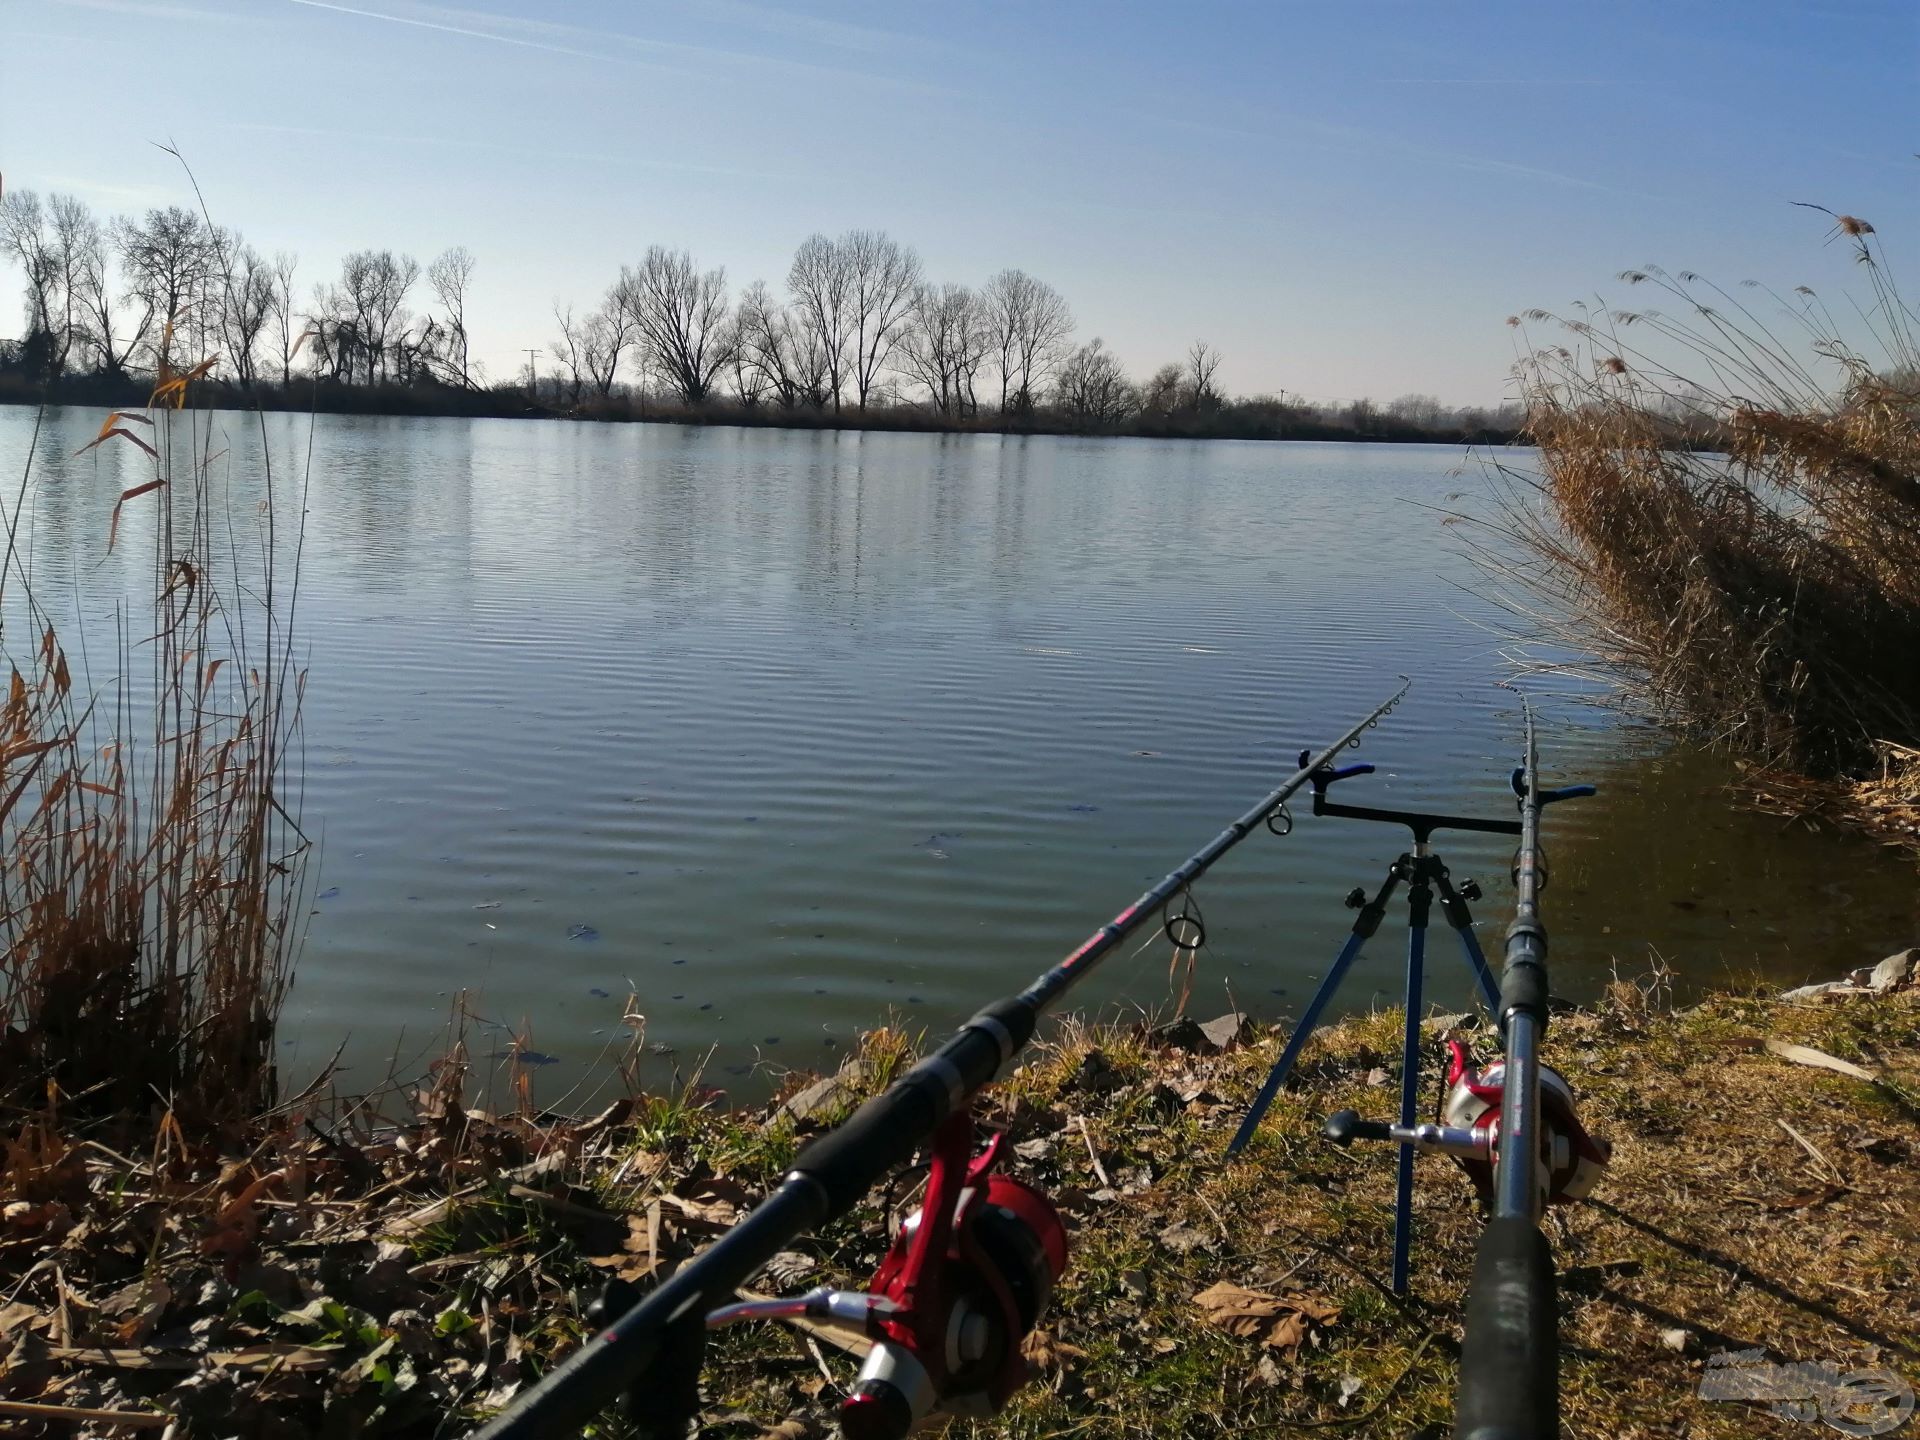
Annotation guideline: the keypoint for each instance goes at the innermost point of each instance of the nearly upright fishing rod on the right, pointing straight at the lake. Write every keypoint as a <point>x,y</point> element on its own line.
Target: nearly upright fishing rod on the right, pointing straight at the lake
<point>1510,1353</point>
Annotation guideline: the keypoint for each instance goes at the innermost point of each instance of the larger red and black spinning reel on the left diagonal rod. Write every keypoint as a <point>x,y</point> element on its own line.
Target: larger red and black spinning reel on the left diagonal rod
<point>967,1280</point>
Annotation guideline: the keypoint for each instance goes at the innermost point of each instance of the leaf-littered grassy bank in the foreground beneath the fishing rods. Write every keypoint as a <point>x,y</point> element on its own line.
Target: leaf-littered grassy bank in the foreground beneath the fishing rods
<point>406,1262</point>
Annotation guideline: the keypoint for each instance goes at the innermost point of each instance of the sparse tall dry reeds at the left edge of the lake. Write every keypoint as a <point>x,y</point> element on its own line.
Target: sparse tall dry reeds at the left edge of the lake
<point>151,853</point>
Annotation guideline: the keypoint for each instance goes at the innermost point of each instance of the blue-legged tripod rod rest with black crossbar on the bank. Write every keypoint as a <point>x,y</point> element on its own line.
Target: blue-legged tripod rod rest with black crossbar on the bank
<point>1424,875</point>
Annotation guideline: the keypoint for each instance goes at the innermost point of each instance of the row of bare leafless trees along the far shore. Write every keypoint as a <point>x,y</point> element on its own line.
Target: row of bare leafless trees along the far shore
<point>857,331</point>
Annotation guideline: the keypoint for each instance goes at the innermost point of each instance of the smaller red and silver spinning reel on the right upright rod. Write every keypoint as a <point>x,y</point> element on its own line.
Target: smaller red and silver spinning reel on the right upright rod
<point>1572,1161</point>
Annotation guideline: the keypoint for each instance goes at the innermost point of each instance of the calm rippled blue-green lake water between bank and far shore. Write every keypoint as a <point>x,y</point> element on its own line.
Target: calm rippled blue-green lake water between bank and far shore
<point>788,731</point>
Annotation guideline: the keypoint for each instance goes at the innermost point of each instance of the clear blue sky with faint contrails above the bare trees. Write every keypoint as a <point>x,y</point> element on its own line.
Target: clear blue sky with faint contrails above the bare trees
<point>1343,197</point>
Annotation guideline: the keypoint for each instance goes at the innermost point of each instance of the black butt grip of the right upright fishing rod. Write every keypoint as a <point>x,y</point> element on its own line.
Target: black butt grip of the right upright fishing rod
<point>1508,1360</point>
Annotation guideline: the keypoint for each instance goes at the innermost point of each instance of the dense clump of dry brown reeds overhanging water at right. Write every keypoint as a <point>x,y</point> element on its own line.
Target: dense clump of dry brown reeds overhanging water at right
<point>1727,510</point>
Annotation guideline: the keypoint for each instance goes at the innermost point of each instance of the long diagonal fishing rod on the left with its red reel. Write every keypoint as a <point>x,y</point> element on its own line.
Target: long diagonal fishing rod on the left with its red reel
<point>967,1278</point>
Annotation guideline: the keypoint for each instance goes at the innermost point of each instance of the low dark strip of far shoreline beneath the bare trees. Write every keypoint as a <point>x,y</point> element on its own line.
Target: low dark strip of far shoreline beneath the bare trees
<point>446,402</point>
